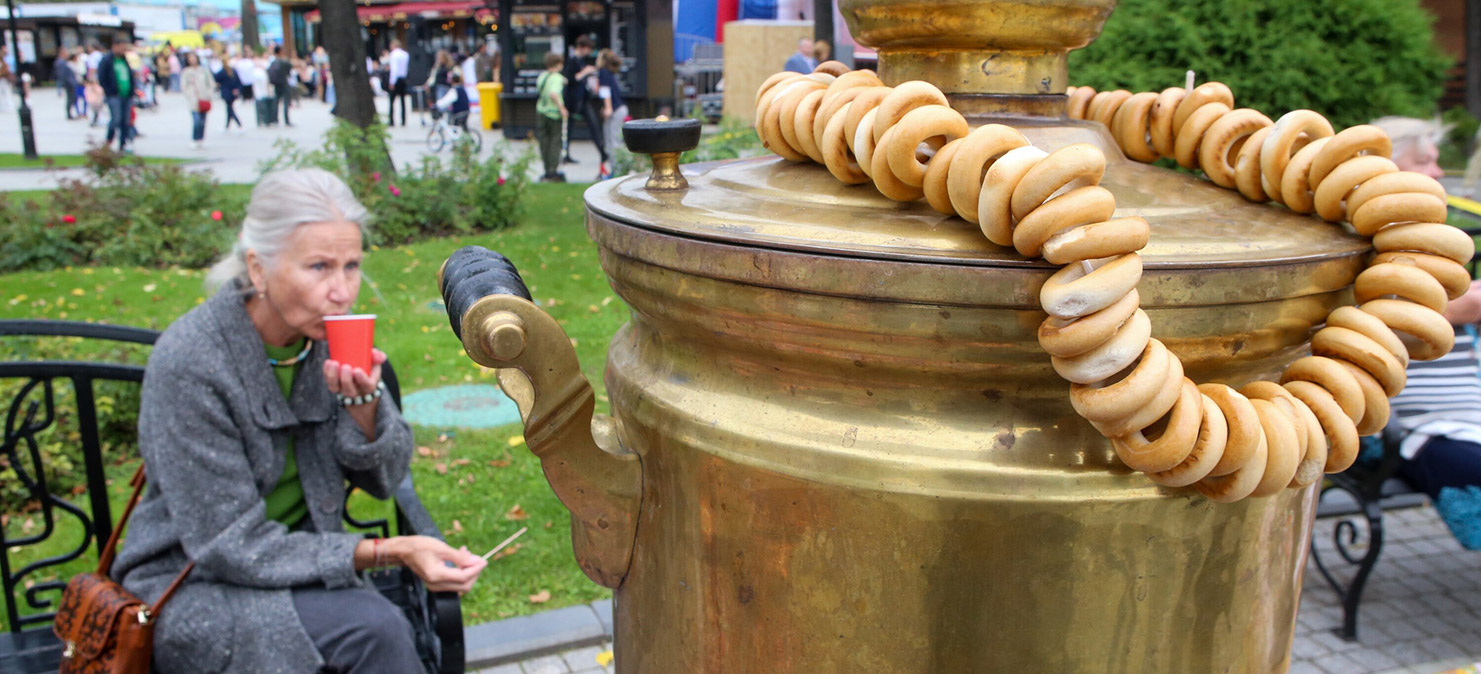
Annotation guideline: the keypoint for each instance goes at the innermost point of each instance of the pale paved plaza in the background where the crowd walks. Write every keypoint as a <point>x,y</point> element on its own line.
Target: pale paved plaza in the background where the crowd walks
<point>232,156</point>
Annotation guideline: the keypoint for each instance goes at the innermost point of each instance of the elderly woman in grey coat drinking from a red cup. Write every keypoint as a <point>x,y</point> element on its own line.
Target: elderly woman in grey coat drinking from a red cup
<point>250,435</point>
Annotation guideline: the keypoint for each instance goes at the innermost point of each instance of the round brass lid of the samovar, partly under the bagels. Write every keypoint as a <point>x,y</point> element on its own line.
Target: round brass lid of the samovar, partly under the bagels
<point>769,204</point>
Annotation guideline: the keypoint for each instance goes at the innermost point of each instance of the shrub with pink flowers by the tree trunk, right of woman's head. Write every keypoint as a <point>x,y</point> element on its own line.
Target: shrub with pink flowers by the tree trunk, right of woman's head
<point>430,199</point>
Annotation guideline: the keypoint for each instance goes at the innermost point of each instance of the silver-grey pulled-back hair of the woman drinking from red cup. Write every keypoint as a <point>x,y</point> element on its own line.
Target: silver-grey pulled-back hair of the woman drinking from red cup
<point>281,204</point>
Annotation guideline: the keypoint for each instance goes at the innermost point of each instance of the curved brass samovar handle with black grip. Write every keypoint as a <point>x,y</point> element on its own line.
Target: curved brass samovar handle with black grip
<point>592,473</point>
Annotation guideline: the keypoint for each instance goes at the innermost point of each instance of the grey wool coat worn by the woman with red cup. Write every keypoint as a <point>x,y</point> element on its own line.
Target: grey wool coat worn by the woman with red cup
<point>214,429</point>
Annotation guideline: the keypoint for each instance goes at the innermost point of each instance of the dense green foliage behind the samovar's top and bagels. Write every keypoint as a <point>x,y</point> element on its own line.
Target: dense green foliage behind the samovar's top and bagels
<point>1350,60</point>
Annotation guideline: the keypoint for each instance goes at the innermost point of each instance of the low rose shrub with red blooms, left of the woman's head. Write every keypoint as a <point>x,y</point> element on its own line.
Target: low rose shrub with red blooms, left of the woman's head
<point>122,213</point>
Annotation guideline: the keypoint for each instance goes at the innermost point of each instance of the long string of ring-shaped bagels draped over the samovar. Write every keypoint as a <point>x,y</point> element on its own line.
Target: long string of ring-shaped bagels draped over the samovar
<point>1227,444</point>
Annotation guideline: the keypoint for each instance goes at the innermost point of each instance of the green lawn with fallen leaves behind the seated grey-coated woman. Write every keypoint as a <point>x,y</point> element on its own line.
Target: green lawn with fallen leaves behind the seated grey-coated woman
<point>470,481</point>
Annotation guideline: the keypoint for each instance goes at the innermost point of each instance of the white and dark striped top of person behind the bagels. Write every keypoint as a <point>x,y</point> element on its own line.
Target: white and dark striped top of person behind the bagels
<point>1443,398</point>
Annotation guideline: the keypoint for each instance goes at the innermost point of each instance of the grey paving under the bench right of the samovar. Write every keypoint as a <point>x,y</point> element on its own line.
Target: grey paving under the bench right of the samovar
<point>1421,613</point>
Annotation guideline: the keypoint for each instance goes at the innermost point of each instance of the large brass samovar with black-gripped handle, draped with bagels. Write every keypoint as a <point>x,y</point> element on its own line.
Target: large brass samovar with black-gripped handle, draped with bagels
<point>836,444</point>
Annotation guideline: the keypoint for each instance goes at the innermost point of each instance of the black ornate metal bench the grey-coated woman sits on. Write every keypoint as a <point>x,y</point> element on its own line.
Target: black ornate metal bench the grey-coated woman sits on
<point>30,648</point>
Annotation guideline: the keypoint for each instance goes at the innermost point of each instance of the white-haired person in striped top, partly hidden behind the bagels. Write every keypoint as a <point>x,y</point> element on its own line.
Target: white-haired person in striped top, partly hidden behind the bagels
<point>1439,413</point>
